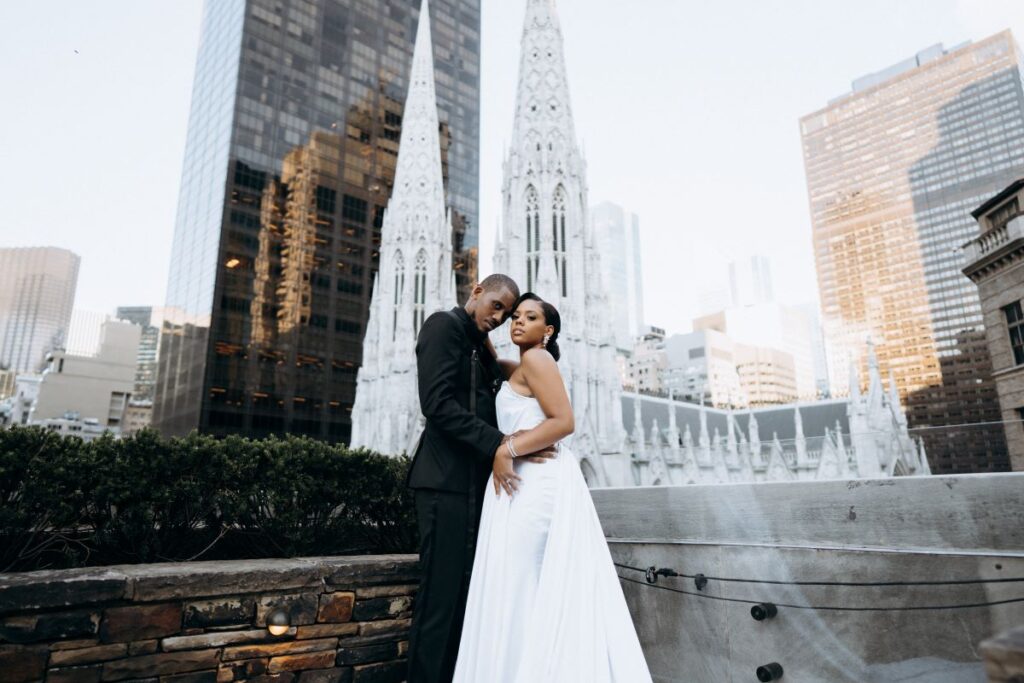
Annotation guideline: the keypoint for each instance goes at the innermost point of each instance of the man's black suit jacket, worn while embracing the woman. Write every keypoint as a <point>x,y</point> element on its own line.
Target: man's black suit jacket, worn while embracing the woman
<point>458,447</point>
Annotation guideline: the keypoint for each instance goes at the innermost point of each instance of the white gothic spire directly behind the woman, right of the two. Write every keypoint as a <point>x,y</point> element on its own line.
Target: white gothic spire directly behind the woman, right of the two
<point>547,247</point>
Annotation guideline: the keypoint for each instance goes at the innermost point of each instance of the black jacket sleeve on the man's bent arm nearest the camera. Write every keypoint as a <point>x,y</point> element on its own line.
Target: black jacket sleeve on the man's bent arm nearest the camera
<point>439,355</point>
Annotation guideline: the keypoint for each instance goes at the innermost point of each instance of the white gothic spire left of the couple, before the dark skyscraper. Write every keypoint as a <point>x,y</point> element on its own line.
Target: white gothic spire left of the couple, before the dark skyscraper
<point>415,278</point>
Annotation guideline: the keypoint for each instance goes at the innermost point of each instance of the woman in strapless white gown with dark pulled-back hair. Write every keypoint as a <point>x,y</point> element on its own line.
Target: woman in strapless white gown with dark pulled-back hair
<point>545,604</point>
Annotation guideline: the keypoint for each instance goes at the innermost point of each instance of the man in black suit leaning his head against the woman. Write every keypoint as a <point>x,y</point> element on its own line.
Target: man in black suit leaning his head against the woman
<point>458,380</point>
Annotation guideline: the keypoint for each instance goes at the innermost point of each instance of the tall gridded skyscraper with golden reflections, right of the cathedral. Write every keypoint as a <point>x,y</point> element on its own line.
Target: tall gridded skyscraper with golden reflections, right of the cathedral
<point>893,172</point>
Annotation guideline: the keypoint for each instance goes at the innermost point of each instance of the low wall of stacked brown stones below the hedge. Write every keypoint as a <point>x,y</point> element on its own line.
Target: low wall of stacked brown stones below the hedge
<point>205,622</point>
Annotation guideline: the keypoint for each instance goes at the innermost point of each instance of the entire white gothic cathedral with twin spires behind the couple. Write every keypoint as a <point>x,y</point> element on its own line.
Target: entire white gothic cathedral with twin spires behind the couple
<point>547,247</point>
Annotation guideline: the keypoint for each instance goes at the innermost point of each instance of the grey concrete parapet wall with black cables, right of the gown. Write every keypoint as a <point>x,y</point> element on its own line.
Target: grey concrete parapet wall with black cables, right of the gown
<point>901,532</point>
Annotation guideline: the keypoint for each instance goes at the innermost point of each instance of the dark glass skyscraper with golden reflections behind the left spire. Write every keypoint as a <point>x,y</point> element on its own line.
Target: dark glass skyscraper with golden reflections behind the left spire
<point>293,142</point>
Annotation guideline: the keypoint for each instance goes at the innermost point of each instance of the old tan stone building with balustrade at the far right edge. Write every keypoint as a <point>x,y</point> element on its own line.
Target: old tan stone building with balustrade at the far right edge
<point>995,262</point>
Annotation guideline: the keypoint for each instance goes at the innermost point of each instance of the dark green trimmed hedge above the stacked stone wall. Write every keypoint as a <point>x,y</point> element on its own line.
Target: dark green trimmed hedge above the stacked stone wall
<point>67,503</point>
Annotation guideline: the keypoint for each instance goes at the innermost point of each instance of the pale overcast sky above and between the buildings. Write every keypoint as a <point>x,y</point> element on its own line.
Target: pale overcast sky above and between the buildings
<point>689,112</point>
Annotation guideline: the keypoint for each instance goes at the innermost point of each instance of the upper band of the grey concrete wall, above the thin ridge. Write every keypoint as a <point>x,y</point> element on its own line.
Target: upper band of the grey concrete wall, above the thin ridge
<point>963,514</point>
